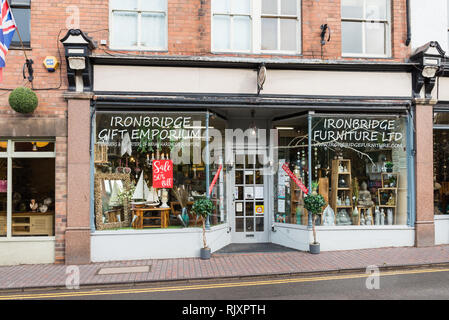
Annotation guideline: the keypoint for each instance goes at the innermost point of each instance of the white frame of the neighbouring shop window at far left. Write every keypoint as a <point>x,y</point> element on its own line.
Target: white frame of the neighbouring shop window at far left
<point>10,154</point>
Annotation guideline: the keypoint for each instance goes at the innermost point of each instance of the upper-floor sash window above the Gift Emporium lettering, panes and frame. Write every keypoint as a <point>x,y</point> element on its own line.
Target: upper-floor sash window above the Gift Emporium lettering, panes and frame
<point>138,24</point>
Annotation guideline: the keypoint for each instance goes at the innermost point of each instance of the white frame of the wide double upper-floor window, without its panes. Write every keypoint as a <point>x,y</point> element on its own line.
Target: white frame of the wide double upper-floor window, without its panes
<point>256,30</point>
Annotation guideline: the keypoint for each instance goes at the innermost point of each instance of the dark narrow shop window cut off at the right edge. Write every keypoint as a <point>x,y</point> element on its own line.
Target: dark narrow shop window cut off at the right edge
<point>441,162</point>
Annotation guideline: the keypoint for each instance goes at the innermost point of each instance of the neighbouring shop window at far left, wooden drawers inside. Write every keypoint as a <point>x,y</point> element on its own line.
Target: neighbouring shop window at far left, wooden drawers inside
<point>27,188</point>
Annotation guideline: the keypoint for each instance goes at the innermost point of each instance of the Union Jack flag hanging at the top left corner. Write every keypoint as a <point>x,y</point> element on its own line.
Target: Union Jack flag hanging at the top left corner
<point>7,29</point>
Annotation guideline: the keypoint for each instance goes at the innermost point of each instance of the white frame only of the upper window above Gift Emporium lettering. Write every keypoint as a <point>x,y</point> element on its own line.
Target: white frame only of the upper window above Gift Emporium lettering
<point>139,12</point>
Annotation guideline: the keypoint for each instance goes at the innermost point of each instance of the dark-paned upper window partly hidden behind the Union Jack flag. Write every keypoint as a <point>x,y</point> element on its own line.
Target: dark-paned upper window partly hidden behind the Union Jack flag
<point>21,10</point>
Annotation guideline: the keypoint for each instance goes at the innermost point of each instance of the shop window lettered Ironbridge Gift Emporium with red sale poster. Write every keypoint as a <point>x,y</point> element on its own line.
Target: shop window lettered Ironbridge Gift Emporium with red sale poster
<point>149,169</point>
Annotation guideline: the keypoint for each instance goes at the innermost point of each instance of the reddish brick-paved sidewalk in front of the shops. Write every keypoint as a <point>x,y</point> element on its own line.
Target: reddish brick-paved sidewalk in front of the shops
<point>224,265</point>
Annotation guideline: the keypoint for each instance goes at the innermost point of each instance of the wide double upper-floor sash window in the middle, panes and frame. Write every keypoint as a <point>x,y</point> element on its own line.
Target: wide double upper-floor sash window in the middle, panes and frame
<point>256,26</point>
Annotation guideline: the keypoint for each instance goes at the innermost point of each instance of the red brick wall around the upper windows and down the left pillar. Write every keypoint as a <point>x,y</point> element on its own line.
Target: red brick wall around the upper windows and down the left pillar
<point>189,38</point>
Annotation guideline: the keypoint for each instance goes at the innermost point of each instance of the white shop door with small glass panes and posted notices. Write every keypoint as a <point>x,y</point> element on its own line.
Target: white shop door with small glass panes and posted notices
<point>249,207</point>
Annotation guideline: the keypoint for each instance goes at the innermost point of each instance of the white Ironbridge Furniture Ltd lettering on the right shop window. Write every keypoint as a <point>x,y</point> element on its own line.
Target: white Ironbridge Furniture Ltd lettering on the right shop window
<point>359,132</point>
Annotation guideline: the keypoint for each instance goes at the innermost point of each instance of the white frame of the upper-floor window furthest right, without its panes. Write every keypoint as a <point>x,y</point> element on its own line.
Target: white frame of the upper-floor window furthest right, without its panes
<point>387,24</point>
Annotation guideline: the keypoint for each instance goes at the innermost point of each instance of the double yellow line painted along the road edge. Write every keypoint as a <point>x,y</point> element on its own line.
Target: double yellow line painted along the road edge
<point>209,286</point>
